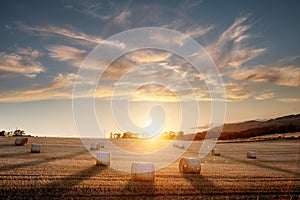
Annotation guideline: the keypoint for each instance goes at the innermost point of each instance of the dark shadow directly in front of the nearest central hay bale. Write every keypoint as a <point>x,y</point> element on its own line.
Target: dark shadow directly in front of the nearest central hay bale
<point>139,189</point>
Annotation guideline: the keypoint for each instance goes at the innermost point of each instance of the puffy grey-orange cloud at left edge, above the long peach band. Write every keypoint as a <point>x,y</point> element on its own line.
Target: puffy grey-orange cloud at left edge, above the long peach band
<point>22,62</point>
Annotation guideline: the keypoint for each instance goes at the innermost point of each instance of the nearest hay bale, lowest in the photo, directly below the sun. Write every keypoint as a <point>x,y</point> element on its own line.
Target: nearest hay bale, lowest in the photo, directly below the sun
<point>143,171</point>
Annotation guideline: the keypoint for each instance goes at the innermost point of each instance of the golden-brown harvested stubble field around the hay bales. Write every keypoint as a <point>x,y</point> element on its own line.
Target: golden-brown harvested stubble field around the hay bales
<point>66,170</point>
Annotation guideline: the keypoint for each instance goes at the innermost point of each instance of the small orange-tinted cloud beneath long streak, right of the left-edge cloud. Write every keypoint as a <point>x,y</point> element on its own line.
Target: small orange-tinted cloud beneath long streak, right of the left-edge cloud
<point>67,53</point>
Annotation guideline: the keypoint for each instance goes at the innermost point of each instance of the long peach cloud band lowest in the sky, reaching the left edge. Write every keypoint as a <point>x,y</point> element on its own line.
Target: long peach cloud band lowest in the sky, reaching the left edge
<point>59,88</point>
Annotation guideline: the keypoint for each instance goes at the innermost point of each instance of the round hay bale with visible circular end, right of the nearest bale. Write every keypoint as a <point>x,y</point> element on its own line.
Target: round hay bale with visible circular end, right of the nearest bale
<point>189,166</point>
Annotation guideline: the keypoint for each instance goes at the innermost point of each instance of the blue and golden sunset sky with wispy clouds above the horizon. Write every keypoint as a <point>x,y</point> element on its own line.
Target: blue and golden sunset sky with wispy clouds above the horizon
<point>255,46</point>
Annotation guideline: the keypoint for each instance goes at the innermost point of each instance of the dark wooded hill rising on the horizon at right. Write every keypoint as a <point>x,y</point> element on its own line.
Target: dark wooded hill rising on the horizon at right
<point>286,124</point>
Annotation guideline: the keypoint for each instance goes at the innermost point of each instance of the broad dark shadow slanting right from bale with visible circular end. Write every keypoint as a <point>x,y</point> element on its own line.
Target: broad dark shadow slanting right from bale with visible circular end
<point>202,185</point>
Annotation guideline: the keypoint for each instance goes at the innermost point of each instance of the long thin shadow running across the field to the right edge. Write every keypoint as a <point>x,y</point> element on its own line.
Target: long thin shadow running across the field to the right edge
<point>261,165</point>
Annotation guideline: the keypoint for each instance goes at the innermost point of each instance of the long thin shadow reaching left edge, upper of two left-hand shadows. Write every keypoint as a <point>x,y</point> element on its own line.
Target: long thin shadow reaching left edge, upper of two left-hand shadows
<point>37,162</point>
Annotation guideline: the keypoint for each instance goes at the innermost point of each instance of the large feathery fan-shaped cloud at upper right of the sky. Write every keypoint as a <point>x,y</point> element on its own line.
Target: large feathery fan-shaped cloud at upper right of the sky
<point>231,50</point>
